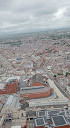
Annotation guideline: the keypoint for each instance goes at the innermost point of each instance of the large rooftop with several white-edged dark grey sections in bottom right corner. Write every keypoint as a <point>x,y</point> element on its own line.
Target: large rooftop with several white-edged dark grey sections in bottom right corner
<point>50,118</point>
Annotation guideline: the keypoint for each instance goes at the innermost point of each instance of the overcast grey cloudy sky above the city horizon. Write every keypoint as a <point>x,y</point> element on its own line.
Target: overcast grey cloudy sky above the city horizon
<point>28,15</point>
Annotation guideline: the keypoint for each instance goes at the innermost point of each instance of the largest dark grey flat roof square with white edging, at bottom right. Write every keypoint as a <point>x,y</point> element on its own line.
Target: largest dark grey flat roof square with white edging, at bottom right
<point>59,121</point>
